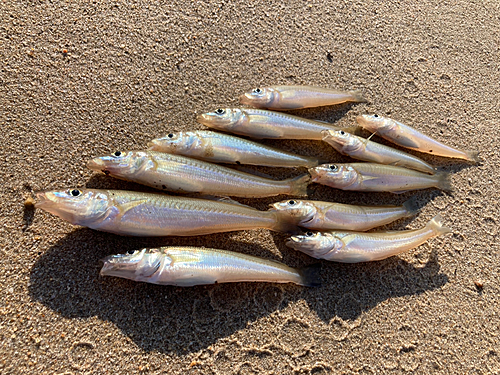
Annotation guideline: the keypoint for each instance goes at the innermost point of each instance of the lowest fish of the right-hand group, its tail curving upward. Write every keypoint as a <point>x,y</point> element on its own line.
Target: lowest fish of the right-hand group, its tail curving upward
<point>354,247</point>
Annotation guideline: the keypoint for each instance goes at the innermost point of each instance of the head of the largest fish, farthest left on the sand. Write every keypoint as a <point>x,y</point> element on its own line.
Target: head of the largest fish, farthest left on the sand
<point>78,206</point>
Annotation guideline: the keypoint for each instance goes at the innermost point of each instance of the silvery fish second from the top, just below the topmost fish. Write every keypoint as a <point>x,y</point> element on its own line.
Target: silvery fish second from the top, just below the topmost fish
<point>258,123</point>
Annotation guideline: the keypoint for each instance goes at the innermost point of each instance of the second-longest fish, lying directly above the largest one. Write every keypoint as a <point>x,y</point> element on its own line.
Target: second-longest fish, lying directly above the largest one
<point>182,174</point>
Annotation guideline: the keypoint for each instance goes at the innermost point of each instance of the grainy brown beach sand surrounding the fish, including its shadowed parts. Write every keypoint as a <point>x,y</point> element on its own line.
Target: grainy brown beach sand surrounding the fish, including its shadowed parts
<point>80,79</point>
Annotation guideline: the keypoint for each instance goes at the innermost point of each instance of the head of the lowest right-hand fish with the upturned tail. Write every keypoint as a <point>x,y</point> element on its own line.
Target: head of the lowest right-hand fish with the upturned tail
<point>315,244</point>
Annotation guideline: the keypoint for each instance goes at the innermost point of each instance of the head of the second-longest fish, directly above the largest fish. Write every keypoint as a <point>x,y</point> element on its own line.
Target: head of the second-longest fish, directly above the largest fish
<point>119,163</point>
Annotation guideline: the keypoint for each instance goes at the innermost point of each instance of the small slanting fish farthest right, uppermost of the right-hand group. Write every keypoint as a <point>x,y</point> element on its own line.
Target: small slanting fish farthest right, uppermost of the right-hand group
<point>405,136</point>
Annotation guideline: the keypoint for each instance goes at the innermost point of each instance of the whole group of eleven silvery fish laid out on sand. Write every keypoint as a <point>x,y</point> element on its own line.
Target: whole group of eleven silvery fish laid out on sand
<point>184,162</point>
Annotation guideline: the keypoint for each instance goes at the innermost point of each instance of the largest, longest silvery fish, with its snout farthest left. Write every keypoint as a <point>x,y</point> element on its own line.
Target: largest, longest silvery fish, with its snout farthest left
<point>148,214</point>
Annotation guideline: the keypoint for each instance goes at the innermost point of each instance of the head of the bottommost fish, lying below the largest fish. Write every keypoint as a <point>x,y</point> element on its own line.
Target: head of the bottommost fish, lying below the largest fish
<point>135,264</point>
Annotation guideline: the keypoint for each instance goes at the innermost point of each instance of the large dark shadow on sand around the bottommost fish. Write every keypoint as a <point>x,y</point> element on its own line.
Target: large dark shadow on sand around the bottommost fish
<point>163,318</point>
